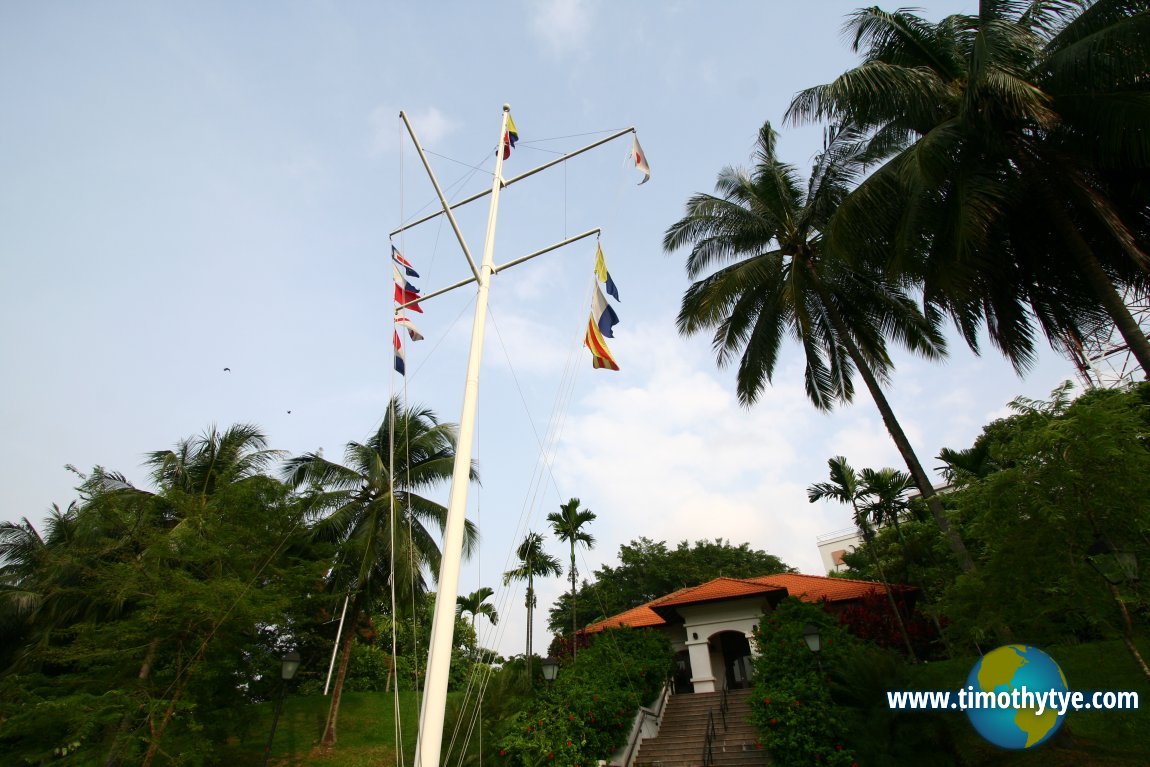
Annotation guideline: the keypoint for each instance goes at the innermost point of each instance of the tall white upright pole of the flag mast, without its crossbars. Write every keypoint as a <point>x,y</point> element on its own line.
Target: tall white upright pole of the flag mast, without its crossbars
<point>443,626</point>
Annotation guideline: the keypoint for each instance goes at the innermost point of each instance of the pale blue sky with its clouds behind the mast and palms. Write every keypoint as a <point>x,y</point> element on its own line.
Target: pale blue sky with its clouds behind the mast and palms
<point>191,187</point>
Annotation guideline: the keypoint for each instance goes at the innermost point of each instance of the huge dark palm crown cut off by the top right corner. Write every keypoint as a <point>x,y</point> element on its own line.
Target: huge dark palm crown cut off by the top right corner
<point>1016,186</point>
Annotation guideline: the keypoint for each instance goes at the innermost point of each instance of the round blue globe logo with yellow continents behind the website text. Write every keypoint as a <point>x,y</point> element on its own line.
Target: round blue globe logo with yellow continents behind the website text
<point>1002,672</point>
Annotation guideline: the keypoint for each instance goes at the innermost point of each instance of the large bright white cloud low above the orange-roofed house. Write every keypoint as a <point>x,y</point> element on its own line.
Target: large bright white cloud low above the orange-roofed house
<point>672,456</point>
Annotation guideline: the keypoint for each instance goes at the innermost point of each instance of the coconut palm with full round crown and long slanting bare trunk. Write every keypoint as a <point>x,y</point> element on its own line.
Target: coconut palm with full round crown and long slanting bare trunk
<point>780,278</point>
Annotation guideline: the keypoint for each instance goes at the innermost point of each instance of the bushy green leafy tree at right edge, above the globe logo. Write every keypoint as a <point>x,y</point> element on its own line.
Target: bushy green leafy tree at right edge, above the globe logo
<point>1070,475</point>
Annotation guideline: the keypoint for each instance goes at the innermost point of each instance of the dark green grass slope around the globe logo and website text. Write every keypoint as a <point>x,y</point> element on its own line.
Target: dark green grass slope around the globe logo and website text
<point>1111,739</point>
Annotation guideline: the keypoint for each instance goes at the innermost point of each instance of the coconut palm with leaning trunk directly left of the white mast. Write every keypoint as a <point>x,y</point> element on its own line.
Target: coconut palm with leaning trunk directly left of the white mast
<point>374,510</point>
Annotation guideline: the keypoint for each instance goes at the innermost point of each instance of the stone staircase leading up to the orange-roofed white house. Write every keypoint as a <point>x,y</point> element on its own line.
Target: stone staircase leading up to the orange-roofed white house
<point>684,733</point>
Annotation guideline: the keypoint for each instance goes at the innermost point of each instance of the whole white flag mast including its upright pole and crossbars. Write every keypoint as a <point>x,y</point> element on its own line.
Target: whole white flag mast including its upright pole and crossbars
<point>443,624</point>
